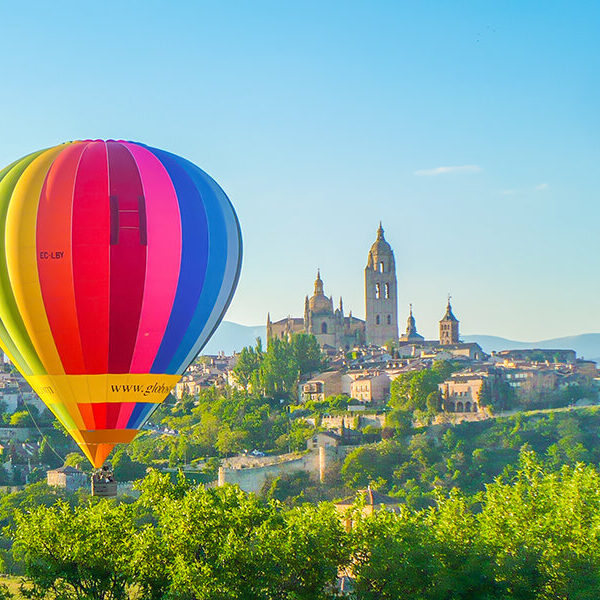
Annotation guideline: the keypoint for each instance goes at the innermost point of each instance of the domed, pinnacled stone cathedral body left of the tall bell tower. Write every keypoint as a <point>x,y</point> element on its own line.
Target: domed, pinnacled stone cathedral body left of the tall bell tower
<point>331,327</point>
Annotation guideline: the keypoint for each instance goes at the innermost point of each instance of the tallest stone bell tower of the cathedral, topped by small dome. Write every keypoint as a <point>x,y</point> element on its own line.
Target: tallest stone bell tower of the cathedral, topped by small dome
<point>381,293</point>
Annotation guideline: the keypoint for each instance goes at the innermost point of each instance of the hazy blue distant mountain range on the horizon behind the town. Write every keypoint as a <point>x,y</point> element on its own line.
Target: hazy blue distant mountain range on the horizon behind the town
<point>232,337</point>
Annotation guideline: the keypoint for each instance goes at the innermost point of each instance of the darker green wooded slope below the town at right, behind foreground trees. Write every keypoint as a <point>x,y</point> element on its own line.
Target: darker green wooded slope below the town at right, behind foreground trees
<point>469,456</point>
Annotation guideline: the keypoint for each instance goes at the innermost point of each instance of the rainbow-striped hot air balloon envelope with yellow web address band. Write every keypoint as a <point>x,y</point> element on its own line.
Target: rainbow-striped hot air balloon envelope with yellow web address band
<point>117,263</point>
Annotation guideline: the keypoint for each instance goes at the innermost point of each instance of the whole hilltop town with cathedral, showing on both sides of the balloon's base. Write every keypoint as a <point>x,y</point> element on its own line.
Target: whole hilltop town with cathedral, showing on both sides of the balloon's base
<point>349,395</point>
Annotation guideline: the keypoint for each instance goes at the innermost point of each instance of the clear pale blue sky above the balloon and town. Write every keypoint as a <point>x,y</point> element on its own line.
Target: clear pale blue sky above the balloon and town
<point>471,129</point>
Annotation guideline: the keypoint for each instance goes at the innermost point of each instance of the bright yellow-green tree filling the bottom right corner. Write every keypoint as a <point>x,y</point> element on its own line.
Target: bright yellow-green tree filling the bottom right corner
<point>546,525</point>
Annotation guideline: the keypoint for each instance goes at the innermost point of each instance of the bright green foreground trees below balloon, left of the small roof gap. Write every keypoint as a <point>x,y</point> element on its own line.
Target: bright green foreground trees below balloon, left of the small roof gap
<point>181,542</point>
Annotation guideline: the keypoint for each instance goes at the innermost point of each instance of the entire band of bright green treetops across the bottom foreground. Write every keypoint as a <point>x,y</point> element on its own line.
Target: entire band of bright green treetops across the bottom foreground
<point>535,536</point>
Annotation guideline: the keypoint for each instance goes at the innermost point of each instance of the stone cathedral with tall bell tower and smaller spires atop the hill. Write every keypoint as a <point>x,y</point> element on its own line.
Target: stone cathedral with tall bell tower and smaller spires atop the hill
<point>334,330</point>
